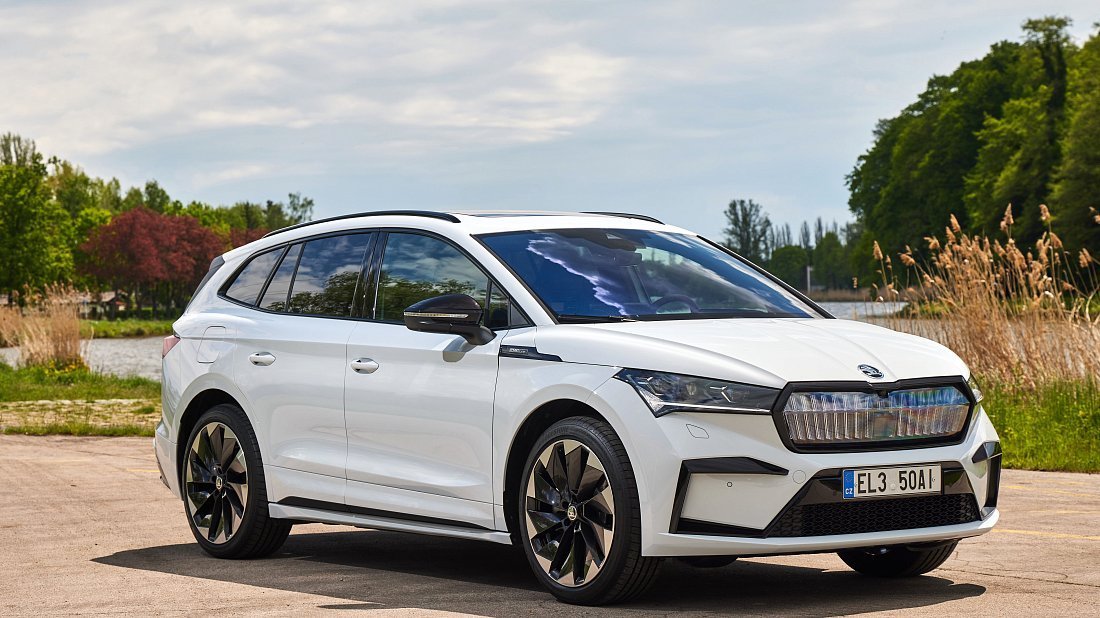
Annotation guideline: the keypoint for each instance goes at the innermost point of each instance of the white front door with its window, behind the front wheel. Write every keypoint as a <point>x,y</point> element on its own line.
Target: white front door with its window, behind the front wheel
<point>420,406</point>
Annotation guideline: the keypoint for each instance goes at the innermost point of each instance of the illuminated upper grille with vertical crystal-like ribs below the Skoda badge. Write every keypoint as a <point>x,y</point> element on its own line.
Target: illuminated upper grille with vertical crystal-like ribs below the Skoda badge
<point>826,418</point>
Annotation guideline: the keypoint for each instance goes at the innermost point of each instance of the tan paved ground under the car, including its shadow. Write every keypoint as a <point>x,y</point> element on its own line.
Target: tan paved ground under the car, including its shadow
<point>86,527</point>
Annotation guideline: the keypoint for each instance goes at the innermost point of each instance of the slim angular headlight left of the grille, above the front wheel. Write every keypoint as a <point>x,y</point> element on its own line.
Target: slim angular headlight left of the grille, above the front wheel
<point>668,393</point>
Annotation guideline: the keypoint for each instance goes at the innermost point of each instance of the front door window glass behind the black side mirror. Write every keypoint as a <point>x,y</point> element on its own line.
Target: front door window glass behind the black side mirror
<point>415,268</point>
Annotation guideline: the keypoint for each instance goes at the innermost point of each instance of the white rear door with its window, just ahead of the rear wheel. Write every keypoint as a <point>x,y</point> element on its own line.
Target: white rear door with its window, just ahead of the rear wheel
<point>291,359</point>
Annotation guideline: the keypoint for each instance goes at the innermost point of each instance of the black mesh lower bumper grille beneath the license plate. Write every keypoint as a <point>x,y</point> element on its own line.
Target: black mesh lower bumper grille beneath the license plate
<point>876,516</point>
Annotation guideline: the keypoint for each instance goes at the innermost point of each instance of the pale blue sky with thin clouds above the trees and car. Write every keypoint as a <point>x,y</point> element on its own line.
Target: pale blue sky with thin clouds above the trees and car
<point>669,109</point>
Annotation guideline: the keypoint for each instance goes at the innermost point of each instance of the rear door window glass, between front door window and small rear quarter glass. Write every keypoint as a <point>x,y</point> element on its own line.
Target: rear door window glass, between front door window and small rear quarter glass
<point>327,277</point>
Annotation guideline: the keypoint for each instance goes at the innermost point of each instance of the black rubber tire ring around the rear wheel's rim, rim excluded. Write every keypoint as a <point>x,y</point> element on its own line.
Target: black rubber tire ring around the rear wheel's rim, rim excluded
<point>235,420</point>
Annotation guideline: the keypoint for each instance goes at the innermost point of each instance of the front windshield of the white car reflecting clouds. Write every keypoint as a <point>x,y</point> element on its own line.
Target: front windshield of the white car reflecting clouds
<point>589,275</point>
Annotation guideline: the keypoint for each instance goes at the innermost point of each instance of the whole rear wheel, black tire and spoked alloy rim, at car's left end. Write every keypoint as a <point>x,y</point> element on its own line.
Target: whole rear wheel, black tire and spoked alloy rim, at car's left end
<point>225,491</point>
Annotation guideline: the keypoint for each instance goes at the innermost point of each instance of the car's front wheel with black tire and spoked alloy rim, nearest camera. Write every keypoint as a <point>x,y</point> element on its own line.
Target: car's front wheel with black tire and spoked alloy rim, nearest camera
<point>582,509</point>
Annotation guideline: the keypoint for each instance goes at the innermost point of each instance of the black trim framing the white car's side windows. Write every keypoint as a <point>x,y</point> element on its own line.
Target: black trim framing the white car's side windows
<point>368,275</point>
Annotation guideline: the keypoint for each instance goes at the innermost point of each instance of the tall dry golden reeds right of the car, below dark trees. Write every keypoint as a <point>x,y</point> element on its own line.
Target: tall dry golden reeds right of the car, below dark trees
<point>1017,316</point>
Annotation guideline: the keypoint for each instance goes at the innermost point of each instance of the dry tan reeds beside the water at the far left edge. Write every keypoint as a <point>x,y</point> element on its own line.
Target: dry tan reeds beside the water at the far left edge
<point>48,330</point>
